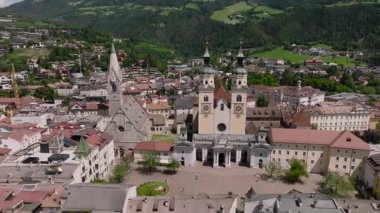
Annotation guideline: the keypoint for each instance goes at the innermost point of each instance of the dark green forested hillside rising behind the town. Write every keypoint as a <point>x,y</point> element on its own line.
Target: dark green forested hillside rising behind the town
<point>183,25</point>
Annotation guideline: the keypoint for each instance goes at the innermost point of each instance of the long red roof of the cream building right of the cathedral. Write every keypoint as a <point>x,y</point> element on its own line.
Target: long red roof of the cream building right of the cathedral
<point>336,139</point>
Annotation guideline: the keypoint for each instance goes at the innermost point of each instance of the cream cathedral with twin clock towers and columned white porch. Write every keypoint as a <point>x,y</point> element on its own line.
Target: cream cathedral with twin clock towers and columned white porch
<point>221,139</point>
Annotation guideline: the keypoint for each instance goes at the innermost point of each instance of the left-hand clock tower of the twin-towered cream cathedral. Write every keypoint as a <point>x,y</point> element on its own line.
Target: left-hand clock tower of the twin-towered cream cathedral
<point>206,97</point>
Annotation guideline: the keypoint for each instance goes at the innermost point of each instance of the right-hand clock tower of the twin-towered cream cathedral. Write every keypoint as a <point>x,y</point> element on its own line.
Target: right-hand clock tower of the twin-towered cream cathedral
<point>239,96</point>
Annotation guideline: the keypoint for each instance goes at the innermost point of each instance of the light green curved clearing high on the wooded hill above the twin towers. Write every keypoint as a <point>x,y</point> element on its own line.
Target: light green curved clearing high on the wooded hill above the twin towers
<point>222,15</point>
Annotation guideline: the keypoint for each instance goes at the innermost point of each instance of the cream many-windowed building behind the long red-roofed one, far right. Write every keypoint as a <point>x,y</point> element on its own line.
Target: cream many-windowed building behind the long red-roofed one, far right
<point>339,116</point>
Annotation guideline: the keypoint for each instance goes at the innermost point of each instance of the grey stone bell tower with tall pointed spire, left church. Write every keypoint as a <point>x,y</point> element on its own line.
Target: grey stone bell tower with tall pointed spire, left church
<point>114,81</point>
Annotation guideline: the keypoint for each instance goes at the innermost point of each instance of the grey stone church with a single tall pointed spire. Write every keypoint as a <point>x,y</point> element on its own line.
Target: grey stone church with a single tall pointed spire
<point>127,121</point>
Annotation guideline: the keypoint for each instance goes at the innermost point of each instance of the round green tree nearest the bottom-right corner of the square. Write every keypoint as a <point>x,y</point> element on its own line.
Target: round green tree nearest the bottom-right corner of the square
<point>339,185</point>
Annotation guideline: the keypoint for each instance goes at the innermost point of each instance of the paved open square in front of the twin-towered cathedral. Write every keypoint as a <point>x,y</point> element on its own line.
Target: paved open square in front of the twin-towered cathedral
<point>207,180</point>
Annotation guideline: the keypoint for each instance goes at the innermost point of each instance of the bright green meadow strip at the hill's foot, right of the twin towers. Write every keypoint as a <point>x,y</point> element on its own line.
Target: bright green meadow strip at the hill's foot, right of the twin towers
<point>298,59</point>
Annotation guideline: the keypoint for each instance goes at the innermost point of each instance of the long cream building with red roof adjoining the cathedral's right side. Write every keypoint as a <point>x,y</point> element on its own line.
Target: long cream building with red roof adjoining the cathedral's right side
<point>322,151</point>
